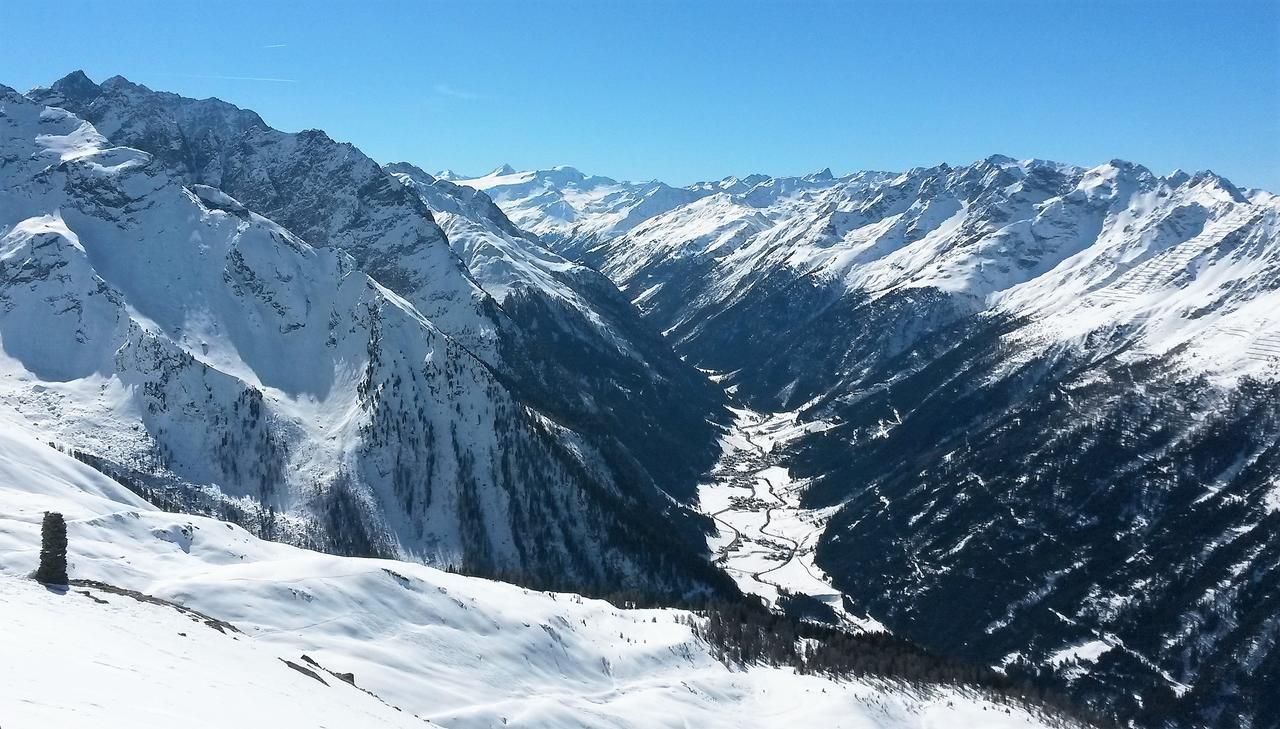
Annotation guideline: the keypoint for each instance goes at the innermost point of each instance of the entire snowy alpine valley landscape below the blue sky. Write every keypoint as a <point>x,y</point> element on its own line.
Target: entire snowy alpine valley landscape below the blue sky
<point>1016,419</point>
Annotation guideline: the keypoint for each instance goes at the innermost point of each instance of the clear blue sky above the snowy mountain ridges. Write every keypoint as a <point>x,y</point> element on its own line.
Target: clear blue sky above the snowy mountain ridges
<point>687,91</point>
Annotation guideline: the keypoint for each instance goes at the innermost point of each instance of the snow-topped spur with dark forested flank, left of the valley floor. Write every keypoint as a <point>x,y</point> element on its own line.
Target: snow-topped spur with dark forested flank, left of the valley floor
<point>577,350</point>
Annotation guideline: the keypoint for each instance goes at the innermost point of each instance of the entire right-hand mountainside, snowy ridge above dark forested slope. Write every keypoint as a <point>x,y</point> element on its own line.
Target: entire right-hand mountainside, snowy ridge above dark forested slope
<point>1045,406</point>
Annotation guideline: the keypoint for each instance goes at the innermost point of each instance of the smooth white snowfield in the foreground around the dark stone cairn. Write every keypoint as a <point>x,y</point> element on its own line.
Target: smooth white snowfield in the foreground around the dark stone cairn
<point>422,644</point>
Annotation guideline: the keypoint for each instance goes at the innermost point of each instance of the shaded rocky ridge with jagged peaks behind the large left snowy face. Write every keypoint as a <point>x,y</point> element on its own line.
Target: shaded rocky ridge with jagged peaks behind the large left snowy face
<point>328,194</point>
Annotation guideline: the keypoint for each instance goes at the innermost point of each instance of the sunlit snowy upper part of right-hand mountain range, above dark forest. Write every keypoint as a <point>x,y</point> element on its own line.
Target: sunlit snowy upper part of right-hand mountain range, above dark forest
<point>1073,247</point>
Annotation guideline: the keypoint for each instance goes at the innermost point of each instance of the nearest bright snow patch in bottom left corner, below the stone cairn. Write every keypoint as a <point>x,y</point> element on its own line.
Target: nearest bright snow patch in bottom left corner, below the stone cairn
<point>94,659</point>
